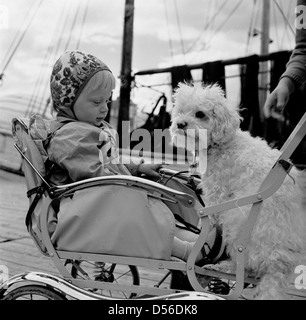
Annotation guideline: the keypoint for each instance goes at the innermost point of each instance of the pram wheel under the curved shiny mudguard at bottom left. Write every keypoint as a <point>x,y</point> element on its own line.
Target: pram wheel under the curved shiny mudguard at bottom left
<point>33,292</point>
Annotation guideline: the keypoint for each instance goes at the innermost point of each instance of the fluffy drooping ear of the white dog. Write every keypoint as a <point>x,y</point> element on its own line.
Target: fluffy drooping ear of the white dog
<point>225,118</point>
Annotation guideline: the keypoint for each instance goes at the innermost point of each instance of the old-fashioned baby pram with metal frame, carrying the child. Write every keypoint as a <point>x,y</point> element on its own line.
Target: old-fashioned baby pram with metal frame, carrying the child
<point>49,206</point>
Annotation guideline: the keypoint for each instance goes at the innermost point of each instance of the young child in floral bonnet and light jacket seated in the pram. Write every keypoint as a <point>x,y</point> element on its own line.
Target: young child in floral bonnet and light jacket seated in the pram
<point>82,144</point>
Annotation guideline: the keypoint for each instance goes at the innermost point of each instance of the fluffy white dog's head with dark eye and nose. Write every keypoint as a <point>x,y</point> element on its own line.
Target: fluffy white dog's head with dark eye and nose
<point>202,107</point>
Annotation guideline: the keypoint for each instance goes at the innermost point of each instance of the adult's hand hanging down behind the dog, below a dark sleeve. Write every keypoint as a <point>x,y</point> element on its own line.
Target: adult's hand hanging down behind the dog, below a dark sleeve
<point>278,99</point>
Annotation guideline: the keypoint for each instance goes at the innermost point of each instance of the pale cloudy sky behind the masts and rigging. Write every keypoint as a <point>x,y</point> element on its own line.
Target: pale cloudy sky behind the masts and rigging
<point>166,33</point>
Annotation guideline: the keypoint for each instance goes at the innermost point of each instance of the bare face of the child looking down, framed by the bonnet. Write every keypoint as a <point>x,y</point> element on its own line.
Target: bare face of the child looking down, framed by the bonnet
<point>91,107</point>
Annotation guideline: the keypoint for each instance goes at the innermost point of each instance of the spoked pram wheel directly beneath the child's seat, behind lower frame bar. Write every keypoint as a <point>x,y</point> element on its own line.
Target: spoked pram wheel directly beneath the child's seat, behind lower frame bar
<point>107,272</point>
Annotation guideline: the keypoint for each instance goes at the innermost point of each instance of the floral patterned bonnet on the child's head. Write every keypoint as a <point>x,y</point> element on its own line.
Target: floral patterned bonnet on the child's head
<point>70,75</point>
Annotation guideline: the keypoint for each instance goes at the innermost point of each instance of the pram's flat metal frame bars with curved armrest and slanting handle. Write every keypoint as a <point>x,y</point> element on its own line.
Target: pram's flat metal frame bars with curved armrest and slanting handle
<point>269,186</point>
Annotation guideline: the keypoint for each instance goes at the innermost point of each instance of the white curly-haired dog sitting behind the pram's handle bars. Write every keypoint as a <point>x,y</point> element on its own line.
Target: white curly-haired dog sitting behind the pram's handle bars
<point>237,164</point>
